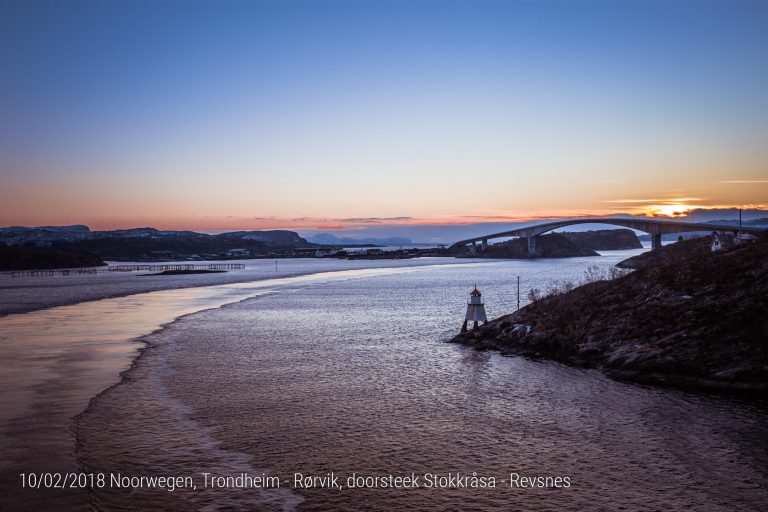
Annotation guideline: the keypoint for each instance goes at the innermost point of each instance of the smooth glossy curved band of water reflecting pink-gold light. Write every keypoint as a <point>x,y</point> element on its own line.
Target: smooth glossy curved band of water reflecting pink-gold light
<point>56,360</point>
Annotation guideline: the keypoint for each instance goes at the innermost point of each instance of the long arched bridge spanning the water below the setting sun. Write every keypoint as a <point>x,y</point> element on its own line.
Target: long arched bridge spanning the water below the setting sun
<point>654,227</point>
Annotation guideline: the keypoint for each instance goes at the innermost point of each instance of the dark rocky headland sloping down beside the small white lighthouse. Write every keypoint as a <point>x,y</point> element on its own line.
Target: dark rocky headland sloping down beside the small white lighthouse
<point>685,317</point>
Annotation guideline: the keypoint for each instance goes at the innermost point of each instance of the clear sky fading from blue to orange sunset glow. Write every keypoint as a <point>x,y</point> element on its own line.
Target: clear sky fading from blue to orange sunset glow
<point>351,115</point>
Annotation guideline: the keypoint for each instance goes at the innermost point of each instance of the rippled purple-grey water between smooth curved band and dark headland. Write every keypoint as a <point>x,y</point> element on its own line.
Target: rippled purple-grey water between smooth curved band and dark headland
<point>351,373</point>
